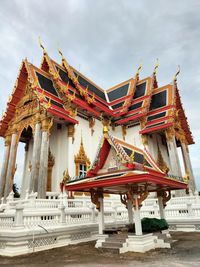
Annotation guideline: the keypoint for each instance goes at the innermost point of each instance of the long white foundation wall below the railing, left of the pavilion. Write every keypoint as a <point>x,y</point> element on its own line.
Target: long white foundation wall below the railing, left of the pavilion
<point>18,242</point>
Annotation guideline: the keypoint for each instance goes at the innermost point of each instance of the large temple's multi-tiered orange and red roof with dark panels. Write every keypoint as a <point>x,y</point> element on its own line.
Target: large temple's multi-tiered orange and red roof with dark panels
<point>125,104</point>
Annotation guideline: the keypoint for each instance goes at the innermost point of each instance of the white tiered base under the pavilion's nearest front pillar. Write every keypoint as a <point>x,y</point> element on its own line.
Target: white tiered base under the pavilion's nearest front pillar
<point>140,243</point>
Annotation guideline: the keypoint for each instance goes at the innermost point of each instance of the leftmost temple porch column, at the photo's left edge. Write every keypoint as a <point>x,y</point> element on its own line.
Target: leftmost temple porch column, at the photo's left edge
<point>4,166</point>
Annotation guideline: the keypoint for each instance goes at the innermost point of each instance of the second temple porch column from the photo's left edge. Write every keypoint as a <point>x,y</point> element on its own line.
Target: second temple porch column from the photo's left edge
<point>11,165</point>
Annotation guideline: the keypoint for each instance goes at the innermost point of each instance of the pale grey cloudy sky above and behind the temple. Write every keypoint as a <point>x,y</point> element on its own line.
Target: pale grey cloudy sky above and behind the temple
<point>107,40</point>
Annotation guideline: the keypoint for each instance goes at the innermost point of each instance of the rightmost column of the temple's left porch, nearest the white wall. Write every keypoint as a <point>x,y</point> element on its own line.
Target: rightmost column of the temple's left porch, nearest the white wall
<point>42,178</point>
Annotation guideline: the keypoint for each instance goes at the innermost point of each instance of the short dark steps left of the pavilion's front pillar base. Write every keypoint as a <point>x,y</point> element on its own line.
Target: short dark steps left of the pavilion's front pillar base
<point>114,242</point>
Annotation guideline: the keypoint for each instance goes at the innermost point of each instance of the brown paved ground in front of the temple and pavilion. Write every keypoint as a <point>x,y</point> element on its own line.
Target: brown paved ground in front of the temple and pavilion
<point>184,252</point>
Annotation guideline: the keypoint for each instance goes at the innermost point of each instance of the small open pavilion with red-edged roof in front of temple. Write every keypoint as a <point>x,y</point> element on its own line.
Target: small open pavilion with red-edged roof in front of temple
<point>131,172</point>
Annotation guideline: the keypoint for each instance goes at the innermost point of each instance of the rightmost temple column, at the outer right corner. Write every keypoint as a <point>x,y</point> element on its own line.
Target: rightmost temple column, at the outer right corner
<point>188,166</point>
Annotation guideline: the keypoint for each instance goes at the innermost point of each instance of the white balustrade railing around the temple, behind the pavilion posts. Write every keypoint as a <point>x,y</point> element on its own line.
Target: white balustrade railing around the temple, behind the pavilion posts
<point>50,212</point>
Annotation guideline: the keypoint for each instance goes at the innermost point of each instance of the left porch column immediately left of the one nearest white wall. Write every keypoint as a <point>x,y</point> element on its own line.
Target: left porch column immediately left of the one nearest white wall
<point>35,158</point>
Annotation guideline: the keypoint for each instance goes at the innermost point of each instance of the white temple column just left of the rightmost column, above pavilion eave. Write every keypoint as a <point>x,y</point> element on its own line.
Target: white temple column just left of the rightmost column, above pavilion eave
<point>175,168</point>
